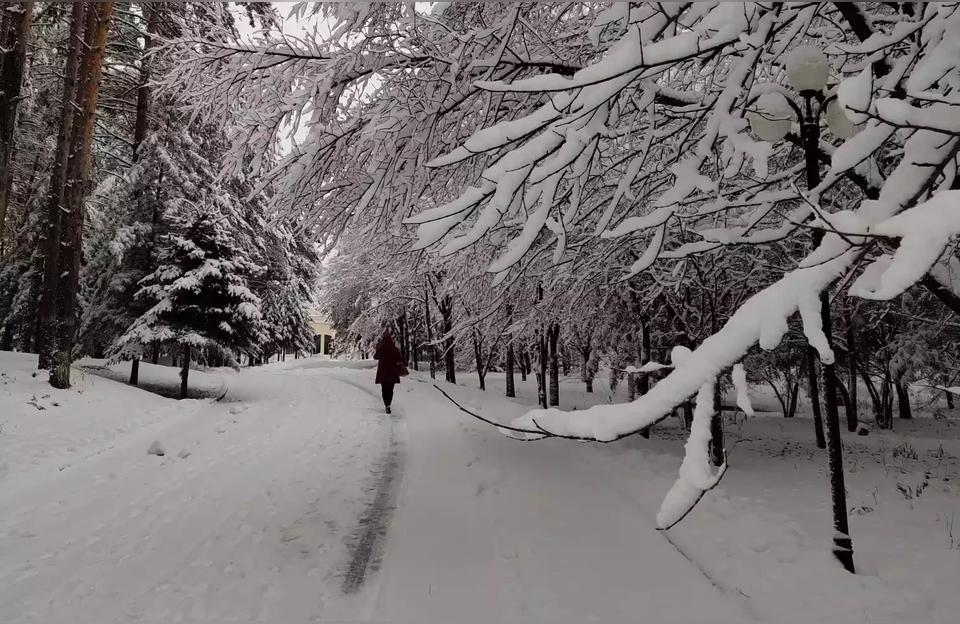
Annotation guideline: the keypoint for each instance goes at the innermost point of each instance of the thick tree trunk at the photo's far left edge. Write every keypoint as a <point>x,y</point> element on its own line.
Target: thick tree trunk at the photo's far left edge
<point>14,41</point>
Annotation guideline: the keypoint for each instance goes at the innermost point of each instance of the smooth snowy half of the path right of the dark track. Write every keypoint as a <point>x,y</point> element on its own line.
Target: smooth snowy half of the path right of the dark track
<point>493,530</point>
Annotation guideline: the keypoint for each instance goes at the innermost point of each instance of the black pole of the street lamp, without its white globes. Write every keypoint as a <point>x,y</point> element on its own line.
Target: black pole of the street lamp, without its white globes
<point>842,543</point>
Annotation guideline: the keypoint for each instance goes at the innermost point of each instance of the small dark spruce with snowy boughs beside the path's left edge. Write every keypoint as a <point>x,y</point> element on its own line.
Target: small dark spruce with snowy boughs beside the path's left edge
<point>200,304</point>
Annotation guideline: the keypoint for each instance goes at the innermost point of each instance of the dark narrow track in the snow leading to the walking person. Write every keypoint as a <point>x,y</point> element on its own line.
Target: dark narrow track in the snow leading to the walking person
<point>367,543</point>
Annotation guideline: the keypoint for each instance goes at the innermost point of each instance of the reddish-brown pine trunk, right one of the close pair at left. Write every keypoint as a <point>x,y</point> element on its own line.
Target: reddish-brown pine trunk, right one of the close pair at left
<point>77,181</point>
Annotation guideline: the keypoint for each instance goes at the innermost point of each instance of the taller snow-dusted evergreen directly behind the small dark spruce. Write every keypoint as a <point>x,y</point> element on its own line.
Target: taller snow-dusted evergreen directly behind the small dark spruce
<point>128,213</point>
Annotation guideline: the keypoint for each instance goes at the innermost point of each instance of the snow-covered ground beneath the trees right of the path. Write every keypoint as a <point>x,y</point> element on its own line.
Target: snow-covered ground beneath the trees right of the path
<point>767,528</point>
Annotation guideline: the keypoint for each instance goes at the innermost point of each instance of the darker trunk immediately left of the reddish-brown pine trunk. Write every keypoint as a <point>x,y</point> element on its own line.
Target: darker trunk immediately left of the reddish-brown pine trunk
<point>50,247</point>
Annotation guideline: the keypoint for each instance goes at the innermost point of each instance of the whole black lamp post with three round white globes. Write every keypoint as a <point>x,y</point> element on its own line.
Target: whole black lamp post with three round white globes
<point>807,71</point>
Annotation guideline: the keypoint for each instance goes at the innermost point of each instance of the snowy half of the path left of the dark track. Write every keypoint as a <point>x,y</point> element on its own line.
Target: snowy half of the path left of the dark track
<point>247,518</point>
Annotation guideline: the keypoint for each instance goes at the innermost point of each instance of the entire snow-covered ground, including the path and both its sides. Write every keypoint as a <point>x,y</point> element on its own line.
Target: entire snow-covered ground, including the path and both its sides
<point>276,505</point>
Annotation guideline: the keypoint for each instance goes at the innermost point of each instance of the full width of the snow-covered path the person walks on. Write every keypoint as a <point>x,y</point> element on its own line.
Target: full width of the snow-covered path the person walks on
<point>275,508</point>
